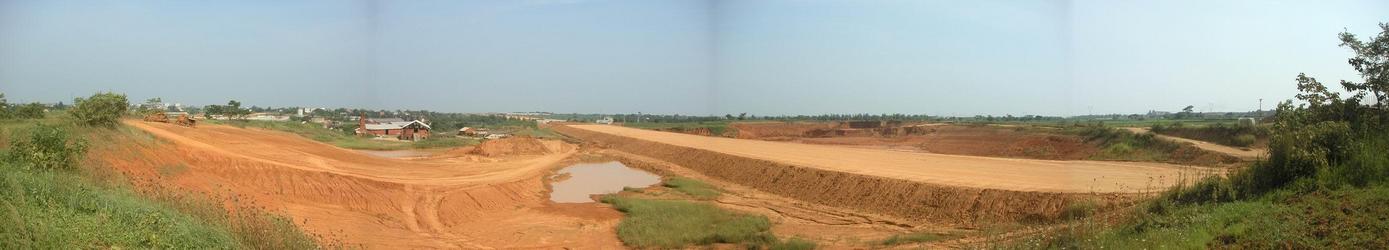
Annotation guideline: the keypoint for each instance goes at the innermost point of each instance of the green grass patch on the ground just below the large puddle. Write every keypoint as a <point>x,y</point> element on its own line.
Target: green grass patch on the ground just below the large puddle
<point>673,224</point>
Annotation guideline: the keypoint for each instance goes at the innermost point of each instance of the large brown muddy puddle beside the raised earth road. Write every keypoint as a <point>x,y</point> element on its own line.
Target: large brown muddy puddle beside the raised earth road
<point>598,178</point>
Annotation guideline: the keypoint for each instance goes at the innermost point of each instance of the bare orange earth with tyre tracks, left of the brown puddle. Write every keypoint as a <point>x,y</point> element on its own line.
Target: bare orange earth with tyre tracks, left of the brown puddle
<point>444,202</point>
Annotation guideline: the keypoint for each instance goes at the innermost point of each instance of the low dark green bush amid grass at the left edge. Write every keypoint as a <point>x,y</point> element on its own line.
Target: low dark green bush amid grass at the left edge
<point>47,148</point>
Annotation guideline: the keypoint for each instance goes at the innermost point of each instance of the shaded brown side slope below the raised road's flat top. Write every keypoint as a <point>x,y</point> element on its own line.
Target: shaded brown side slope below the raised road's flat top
<point>905,199</point>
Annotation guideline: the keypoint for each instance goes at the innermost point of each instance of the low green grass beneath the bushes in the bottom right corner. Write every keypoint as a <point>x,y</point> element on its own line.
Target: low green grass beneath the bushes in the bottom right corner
<point>1348,219</point>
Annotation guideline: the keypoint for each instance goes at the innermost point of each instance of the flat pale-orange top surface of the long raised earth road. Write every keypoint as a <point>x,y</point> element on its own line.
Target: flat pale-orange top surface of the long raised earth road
<point>966,172</point>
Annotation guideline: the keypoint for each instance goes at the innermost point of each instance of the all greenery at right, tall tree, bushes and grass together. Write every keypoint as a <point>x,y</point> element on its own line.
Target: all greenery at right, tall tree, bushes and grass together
<point>1324,185</point>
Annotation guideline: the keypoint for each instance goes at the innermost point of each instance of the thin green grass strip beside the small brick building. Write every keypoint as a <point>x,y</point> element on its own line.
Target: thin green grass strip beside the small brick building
<point>345,141</point>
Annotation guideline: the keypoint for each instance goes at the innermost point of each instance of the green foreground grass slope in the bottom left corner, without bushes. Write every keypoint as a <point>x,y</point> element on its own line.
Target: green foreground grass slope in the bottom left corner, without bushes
<point>59,210</point>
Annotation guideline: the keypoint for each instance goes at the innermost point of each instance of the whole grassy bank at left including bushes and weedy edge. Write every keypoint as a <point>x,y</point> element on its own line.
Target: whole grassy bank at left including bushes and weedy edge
<point>69,203</point>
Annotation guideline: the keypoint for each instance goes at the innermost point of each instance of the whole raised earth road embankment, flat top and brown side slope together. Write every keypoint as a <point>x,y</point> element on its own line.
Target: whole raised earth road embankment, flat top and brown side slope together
<point>934,190</point>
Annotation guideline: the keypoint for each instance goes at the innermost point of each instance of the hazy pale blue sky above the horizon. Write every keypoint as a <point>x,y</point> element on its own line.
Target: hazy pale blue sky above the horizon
<point>692,58</point>
